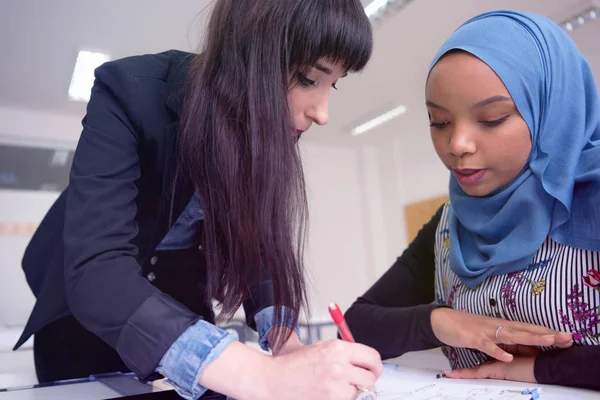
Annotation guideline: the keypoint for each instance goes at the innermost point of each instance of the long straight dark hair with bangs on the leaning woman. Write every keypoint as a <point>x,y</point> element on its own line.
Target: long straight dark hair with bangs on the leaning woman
<point>237,141</point>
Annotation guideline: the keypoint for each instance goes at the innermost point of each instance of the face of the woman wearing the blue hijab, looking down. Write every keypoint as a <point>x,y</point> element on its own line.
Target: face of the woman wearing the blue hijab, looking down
<point>476,129</point>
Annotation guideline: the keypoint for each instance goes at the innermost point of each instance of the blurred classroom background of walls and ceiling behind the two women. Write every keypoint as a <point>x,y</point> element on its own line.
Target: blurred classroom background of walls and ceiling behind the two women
<point>372,174</point>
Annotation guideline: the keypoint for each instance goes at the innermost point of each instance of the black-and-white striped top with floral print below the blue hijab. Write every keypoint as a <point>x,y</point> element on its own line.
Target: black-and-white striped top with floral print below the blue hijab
<point>560,289</point>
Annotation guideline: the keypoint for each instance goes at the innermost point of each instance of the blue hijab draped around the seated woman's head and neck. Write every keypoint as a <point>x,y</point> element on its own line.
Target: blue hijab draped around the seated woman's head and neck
<point>558,192</point>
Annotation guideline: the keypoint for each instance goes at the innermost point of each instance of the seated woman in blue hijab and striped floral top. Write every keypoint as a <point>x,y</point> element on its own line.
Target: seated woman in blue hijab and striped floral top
<point>506,276</point>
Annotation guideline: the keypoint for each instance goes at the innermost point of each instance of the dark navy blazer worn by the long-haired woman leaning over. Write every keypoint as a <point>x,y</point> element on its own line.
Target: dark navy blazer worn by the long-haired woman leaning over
<point>92,254</point>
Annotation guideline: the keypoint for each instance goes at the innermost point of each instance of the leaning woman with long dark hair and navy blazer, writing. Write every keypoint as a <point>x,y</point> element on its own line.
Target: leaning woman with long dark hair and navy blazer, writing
<point>187,188</point>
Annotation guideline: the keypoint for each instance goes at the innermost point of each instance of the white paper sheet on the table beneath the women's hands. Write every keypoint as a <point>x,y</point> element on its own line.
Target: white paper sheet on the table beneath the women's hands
<point>398,383</point>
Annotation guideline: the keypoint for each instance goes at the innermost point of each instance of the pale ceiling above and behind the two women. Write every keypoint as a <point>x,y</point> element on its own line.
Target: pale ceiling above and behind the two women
<point>40,41</point>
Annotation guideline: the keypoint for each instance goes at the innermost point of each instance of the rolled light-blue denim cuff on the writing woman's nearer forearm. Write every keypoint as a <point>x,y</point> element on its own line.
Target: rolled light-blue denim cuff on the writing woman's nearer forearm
<point>188,356</point>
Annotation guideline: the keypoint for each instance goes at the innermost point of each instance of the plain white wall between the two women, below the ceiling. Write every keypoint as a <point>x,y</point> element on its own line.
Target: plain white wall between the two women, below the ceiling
<point>358,196</point>
